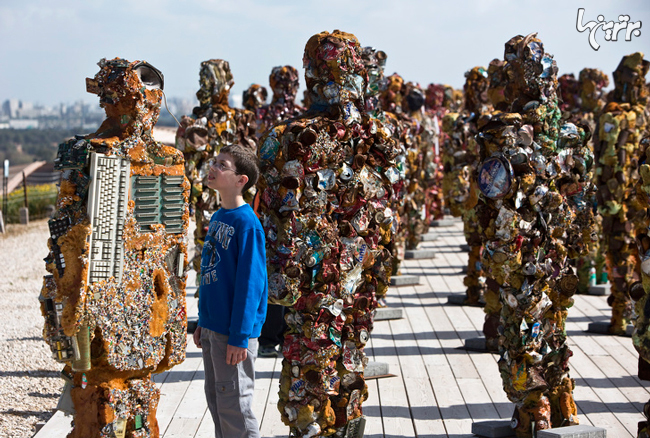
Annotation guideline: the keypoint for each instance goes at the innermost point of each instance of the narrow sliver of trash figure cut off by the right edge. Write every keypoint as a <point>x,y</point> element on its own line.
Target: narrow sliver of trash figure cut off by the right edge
<point>640,291</point>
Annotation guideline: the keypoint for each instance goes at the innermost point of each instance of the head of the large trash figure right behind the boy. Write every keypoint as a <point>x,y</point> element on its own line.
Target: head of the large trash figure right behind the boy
<point>334,71</point>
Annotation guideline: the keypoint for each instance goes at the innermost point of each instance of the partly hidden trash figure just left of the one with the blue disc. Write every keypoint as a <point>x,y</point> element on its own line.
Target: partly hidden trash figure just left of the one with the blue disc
<point>461,158</point>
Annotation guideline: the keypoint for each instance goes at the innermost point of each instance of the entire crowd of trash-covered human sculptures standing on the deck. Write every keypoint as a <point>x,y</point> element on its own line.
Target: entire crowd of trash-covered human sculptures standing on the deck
<point>537,167</point>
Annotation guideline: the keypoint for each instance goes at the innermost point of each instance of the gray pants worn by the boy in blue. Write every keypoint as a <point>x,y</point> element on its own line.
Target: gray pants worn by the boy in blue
<point>229,389</point>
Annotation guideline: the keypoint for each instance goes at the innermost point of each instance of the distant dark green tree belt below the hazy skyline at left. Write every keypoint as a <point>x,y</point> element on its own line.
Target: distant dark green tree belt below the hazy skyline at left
<point>22,146</point>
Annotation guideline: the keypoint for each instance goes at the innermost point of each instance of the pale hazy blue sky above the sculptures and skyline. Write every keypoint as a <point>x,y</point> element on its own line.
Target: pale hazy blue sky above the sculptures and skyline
<point>47,48</point>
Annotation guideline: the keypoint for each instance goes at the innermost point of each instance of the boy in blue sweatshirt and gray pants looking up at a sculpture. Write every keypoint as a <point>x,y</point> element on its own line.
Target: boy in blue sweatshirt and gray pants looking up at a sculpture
<point>232,302</point>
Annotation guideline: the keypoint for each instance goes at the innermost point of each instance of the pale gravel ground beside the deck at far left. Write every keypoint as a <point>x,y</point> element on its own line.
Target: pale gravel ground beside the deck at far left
<point>29,378</point>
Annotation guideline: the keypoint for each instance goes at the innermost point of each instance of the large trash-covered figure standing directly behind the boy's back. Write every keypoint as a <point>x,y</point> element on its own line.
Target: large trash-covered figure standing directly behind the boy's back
<point>326,184</point>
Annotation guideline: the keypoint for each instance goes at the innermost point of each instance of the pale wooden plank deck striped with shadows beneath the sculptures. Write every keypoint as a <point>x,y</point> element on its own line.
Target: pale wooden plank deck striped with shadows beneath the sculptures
<point>440,389</point>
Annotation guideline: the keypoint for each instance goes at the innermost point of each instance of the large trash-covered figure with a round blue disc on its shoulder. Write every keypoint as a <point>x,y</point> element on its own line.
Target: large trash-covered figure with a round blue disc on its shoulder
<point>532,177</point>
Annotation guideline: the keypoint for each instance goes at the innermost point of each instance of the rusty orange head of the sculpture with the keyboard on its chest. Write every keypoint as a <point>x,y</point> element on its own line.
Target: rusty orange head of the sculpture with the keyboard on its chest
<point>129,92</point>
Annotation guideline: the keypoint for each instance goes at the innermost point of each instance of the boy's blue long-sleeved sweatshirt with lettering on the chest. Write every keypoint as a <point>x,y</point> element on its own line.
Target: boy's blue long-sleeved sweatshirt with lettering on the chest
<point>234,286</point>
